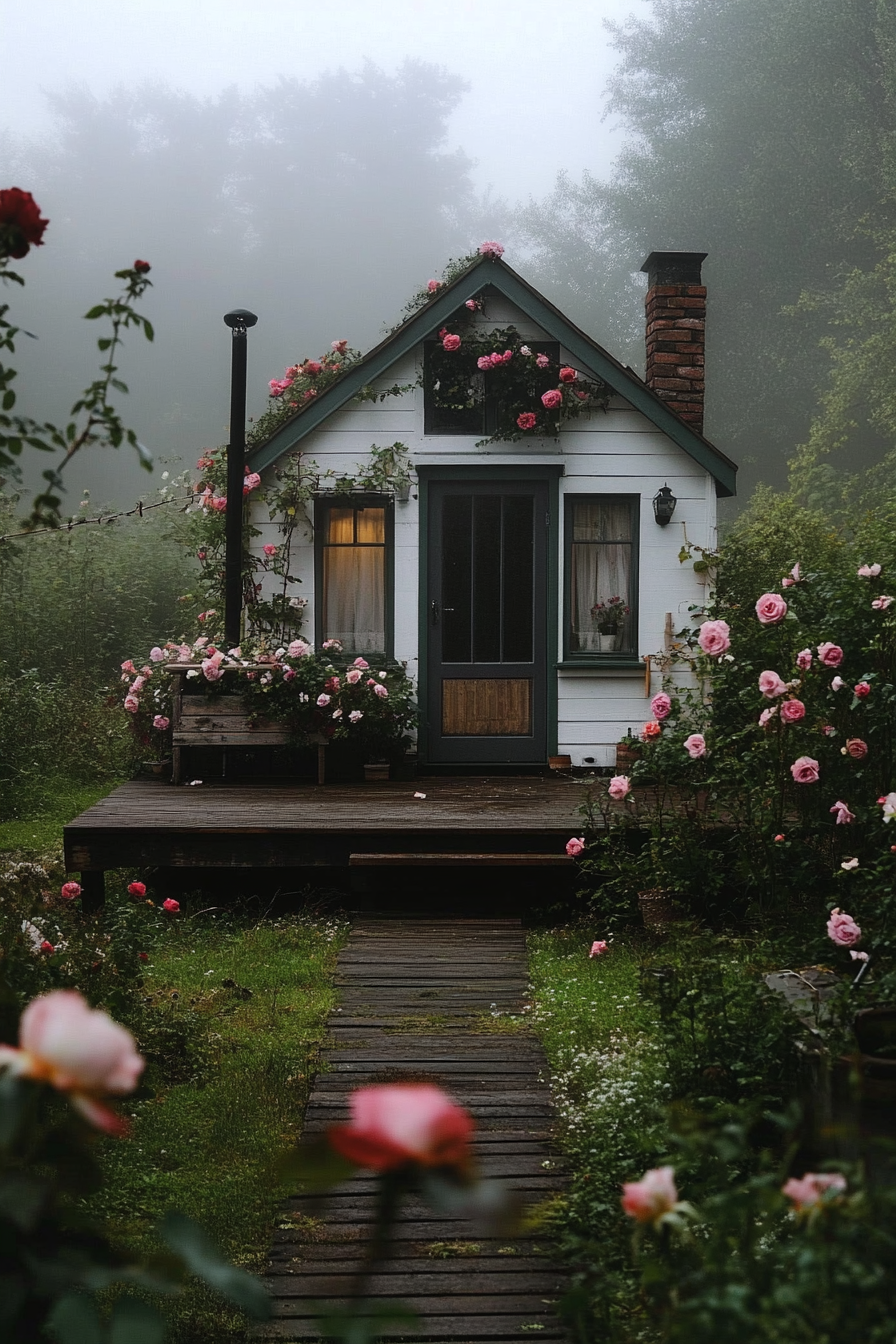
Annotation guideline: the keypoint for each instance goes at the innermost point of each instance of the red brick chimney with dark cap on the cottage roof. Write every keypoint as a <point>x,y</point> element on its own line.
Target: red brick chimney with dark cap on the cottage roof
<point>676,327</point>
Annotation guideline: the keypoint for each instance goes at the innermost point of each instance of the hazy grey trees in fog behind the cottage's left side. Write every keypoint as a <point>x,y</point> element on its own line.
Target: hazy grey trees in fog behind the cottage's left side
<point>318,205</point>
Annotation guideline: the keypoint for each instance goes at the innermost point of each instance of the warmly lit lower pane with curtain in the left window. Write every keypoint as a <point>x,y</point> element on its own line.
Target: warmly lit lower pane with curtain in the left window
<point>354,599</point>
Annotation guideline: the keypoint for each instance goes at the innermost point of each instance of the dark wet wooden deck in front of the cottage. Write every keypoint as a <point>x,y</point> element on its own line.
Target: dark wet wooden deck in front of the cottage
<point>503,822</point>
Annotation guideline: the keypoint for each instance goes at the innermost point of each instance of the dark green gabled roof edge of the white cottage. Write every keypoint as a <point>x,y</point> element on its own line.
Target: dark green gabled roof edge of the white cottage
<point>498,275</point>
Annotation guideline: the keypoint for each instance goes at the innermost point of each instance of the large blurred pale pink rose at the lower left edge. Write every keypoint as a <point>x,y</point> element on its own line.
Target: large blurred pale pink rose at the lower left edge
<point>79,1050</point>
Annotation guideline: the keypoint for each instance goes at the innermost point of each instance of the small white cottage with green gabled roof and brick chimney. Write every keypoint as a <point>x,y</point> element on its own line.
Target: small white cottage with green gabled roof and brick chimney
<point>523,584</point>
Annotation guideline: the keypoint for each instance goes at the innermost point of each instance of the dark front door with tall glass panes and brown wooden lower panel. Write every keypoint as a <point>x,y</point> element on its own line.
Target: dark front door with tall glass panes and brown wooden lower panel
<point>486,614</point>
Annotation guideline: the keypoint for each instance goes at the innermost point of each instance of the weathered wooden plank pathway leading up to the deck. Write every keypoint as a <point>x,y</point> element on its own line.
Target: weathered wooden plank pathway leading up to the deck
<point>418,1001</point>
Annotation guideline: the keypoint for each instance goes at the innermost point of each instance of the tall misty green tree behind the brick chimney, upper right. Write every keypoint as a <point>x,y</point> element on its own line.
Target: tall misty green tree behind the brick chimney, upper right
<point>756,134</point>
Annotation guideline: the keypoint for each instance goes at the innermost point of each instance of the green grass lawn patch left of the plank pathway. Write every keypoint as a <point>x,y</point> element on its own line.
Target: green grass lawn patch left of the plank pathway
<point>233,1023</point>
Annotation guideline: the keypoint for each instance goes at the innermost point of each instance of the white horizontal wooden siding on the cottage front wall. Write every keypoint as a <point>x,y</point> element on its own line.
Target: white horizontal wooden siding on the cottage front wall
<point>615,452</point>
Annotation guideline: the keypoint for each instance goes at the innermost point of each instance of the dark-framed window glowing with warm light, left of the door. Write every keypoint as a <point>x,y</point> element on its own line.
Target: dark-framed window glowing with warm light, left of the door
<point>354,573</point>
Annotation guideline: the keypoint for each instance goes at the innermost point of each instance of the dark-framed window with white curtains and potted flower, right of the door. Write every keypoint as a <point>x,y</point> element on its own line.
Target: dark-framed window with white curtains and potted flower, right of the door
<point>602,577</point>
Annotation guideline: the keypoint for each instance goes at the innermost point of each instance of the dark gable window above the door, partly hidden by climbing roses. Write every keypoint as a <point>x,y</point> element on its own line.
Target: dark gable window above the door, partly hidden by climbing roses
<point>467,405</point>
